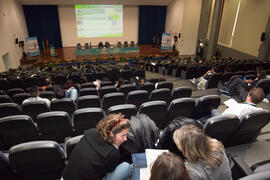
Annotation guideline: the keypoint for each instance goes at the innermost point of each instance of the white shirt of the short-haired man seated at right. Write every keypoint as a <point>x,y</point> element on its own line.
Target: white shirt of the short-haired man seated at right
<point>242,109</point>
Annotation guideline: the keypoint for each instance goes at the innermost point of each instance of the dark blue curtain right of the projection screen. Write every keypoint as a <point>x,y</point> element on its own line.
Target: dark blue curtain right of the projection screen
<point>151,22</point>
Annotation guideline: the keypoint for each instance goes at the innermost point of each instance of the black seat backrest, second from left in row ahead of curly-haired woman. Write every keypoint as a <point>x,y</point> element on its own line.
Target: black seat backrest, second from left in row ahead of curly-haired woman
<point>54,125</point>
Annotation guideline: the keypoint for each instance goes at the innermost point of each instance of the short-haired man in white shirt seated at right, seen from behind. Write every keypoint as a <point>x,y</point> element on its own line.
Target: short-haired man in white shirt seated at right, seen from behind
<point>254,97</point>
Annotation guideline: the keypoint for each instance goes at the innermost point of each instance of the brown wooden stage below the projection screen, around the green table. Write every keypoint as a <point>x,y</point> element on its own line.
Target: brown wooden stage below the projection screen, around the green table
<point>68,54</point>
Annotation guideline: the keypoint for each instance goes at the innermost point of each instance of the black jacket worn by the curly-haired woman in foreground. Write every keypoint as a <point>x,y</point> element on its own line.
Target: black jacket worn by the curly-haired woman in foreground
<point>92,158</point>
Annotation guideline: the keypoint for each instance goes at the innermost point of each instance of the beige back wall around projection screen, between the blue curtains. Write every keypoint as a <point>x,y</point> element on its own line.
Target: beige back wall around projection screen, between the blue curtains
<point>69,29</point>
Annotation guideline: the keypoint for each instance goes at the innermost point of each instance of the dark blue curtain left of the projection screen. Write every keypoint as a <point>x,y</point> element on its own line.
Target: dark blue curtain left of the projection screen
<point>43,22</point>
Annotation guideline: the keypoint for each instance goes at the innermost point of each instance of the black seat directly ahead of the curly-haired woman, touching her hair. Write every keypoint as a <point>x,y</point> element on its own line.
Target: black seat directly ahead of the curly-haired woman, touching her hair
<point>86,118</point>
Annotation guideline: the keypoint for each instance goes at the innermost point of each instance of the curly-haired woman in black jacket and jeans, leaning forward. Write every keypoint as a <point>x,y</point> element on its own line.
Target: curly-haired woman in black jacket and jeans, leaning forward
<point>97,154</point>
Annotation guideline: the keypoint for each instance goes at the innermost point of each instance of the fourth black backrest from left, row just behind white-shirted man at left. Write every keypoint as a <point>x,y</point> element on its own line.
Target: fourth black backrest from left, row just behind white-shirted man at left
<point>88,101</point>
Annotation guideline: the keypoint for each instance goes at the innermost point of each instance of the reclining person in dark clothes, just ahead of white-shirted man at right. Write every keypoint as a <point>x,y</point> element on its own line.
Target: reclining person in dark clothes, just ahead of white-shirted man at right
<point>242,86</point>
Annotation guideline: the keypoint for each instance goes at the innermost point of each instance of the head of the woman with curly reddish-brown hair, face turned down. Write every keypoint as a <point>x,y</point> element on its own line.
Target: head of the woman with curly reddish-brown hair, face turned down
<point>113,129</point>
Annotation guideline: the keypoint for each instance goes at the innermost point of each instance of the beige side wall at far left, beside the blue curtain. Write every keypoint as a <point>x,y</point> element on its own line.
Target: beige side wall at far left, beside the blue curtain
<point>12,25</point>
